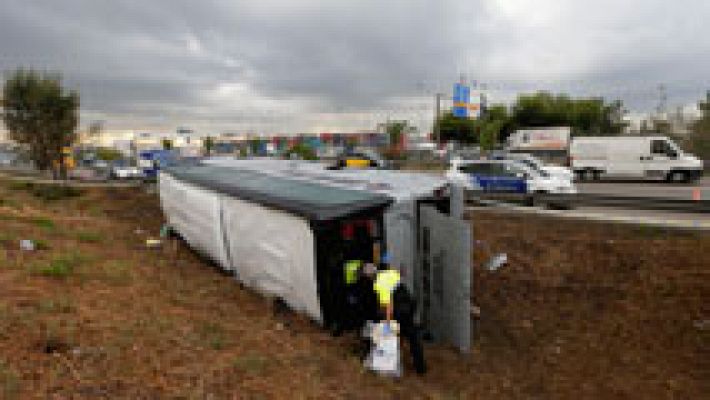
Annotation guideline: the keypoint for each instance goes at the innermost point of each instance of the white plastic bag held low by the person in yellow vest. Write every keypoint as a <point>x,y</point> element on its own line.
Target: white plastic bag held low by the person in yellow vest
<point>384,357</point>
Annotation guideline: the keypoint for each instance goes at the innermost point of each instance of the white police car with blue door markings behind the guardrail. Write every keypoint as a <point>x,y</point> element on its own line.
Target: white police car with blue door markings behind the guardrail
<point>506,176</point>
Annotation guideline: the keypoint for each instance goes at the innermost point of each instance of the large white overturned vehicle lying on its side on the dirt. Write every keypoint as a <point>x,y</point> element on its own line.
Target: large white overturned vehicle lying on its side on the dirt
<point>285,228</point>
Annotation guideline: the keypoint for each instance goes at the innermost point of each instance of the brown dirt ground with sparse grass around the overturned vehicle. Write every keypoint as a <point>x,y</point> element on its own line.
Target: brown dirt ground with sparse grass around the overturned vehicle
<point>581,310</point>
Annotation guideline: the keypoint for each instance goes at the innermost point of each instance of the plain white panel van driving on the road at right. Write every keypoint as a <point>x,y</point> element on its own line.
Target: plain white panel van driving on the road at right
<point>634,157</point>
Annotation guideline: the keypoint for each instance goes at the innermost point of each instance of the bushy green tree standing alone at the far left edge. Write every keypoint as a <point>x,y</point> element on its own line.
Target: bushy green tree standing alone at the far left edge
<point>41,115</point>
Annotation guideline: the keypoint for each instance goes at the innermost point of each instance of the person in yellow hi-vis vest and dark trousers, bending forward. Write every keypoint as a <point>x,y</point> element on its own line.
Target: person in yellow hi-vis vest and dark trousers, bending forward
<point>397,304</point>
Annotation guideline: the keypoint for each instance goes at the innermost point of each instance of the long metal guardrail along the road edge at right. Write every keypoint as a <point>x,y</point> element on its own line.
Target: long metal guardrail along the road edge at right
<point>639,203</point>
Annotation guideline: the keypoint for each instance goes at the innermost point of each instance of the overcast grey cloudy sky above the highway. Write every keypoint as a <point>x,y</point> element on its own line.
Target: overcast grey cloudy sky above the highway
<point>330,65</point>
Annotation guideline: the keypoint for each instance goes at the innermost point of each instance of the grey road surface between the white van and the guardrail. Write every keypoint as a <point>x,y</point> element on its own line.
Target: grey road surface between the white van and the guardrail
<point>647,189</point>
